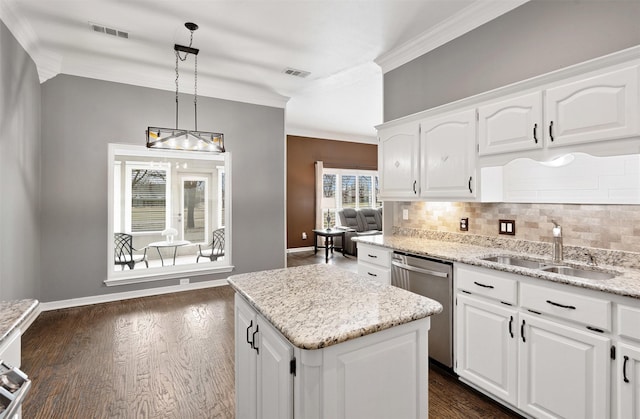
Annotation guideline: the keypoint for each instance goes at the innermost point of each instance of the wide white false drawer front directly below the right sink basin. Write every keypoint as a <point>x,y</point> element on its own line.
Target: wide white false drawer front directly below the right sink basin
<point>567,305</point>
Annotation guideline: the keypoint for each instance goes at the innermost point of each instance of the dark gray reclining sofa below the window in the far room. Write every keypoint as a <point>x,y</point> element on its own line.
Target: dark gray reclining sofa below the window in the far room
<point>361,222</point>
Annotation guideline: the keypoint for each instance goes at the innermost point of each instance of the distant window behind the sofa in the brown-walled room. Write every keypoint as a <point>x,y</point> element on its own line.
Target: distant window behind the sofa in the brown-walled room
<point>344,188</point>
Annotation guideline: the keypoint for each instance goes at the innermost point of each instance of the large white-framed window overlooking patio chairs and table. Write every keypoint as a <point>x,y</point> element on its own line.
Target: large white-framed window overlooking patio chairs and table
<point>169,203</point>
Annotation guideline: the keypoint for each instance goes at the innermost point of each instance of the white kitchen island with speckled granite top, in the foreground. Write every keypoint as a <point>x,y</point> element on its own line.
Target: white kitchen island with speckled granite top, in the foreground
<point>321,342</point>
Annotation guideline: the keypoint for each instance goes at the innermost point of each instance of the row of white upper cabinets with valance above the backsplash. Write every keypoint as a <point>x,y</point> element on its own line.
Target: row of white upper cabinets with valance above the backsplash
<point>590,108</point>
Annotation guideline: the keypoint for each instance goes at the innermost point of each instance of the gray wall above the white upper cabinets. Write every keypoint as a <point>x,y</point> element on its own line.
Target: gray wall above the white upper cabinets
<point>536,38</point>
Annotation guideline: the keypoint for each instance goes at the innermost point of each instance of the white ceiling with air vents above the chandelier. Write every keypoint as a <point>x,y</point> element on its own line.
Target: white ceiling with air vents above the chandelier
<point>245,46</point>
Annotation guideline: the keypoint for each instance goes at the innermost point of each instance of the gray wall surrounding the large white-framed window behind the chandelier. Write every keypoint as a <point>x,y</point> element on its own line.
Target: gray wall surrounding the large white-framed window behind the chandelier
<point>81,116</point>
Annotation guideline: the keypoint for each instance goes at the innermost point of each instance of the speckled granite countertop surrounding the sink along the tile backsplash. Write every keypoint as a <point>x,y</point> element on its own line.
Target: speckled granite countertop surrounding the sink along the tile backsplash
<point>625,283</point>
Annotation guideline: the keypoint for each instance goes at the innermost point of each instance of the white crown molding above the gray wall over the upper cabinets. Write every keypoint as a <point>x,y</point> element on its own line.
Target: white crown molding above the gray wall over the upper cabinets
<point>471,17</point>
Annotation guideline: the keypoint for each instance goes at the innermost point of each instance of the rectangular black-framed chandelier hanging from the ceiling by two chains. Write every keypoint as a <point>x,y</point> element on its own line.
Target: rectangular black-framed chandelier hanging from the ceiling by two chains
<point>182,139</point>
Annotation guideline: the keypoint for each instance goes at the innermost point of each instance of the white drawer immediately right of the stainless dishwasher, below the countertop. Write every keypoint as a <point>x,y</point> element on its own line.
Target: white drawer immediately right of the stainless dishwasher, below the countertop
<point>488,283</point>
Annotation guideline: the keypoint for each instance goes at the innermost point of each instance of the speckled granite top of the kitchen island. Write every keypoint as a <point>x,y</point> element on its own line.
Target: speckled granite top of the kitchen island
<point>317,306</point>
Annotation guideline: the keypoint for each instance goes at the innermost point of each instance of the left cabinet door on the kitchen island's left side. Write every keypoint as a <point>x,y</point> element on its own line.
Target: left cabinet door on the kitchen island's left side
<point>246,359</point>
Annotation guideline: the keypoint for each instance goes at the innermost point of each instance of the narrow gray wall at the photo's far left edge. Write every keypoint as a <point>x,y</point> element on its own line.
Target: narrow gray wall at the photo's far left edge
<point>19,171</point>
